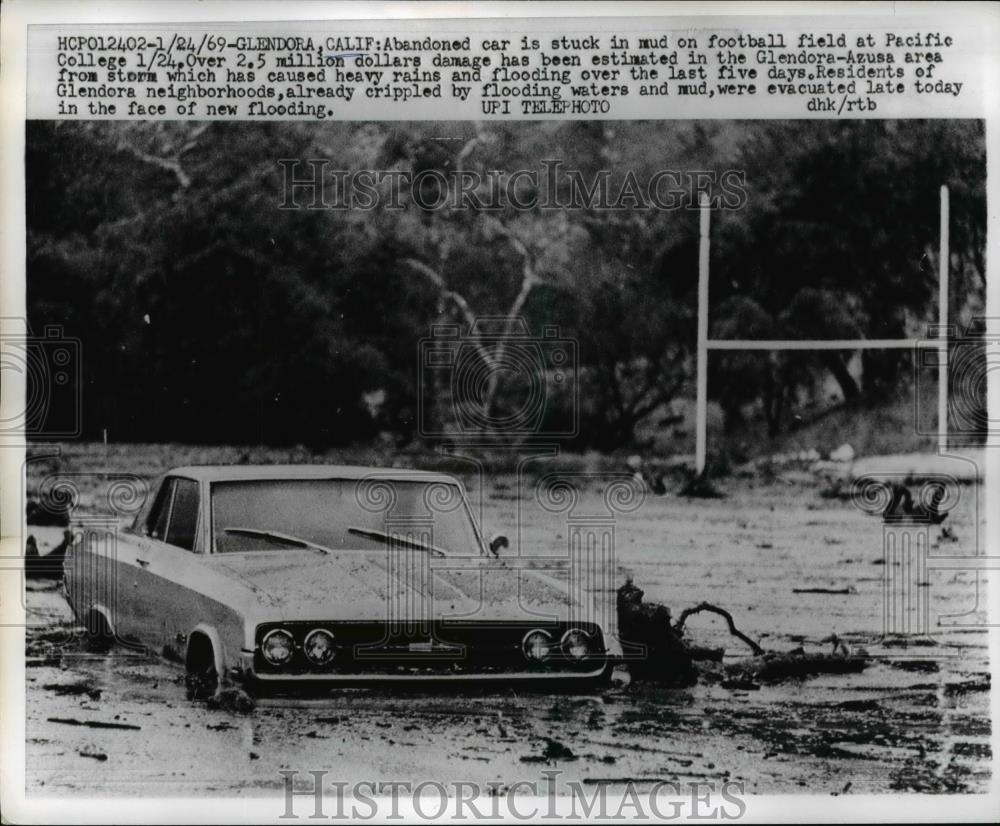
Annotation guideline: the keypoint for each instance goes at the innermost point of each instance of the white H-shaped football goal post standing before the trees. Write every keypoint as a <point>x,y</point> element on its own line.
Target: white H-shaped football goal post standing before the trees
<point>705,343</point>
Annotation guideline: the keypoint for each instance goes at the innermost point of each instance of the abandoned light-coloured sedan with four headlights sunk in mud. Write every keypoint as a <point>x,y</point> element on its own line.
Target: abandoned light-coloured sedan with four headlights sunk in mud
<point>289,577</point>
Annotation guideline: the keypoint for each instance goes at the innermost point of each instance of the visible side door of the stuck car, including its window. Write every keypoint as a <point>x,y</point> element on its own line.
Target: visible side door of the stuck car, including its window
<point>164,573</point>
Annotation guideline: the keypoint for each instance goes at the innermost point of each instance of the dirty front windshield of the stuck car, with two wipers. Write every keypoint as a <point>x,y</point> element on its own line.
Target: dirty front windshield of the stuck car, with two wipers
<point>337,514</point>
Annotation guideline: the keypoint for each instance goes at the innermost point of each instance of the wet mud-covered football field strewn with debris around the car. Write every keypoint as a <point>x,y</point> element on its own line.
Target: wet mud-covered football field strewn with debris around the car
<point>917,719</point>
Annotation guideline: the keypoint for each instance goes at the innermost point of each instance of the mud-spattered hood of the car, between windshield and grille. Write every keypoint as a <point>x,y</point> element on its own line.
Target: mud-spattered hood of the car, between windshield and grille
<point>364,585</point>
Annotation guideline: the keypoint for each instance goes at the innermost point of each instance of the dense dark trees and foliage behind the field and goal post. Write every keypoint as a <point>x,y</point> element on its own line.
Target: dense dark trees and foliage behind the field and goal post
<point>208,313</point>
